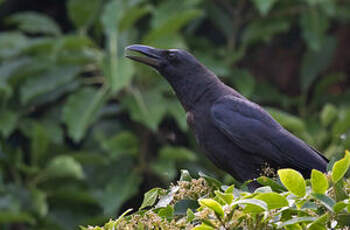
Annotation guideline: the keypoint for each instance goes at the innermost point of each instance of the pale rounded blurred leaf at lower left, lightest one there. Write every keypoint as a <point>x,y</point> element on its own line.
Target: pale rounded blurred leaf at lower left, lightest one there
<point>64,166</point>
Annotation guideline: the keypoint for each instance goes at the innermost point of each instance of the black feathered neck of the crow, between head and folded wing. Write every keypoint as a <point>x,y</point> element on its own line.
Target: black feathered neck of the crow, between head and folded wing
<point>193,88</point>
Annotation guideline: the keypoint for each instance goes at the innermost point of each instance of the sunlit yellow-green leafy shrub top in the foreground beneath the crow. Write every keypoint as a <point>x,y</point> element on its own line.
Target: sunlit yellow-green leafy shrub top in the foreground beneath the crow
<point>226,207</point>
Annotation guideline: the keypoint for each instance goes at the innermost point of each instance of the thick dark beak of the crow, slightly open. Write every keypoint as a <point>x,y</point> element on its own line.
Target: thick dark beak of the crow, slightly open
<point>151,55</point>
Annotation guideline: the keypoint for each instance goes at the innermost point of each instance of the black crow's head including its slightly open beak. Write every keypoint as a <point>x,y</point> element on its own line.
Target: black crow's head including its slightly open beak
<point>171,63</point>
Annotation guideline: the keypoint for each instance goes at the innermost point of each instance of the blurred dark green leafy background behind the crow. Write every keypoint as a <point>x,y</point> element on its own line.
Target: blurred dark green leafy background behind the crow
<point>84,132</point>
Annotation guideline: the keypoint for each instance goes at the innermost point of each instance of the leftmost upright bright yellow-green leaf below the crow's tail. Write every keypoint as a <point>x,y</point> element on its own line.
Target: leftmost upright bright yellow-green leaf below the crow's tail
<point>293,181</point>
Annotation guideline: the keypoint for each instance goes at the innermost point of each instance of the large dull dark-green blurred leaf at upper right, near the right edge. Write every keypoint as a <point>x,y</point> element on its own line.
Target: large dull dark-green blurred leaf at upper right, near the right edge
<point>316,61</point>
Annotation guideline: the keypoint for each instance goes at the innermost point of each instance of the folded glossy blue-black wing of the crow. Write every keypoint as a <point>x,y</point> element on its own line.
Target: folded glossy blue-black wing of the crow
<point>254,130</point>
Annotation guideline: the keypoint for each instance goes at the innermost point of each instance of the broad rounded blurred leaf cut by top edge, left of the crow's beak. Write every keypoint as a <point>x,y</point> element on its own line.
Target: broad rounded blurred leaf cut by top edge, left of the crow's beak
<point>82,13</point>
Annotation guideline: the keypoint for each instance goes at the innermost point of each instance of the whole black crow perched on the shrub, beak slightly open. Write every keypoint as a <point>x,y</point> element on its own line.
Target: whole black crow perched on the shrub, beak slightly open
<point>237,135</point>
